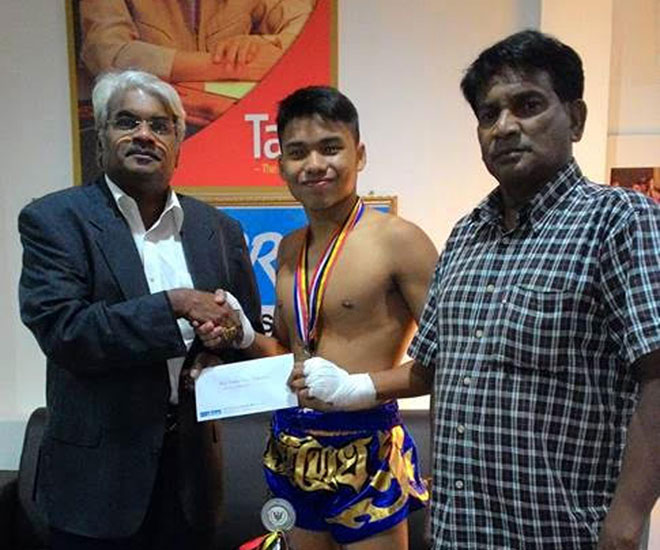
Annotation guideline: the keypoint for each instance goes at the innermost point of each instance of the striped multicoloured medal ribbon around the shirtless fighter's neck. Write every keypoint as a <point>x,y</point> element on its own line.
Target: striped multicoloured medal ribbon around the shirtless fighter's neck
<point>307,300</point>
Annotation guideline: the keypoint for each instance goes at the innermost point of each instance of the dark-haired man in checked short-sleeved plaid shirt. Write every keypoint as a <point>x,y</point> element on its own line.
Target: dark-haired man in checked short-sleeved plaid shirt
<point>541,331</point>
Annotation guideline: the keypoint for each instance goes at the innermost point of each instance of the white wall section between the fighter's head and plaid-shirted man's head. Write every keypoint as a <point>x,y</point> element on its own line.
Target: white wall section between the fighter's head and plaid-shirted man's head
<point>402,67</point>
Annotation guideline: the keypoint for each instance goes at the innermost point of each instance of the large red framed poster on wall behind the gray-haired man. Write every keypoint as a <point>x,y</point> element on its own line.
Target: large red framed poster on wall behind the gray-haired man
<point>231,61</point>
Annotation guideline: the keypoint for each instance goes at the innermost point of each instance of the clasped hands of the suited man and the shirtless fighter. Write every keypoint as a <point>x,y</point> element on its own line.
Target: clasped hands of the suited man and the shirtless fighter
<point>218,318</point>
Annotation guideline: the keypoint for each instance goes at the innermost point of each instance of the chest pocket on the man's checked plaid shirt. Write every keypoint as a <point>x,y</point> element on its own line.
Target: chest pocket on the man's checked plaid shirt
<point>535,328</point>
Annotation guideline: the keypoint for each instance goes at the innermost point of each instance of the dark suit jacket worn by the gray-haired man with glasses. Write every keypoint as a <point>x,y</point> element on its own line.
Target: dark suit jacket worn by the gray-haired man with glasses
<point>84,295</point>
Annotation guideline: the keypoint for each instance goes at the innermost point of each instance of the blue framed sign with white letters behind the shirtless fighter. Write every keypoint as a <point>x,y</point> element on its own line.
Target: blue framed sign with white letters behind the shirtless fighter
<point>265,222</point>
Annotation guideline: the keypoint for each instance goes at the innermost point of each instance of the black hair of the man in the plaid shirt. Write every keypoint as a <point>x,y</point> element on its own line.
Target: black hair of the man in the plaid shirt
<point>527,52</point>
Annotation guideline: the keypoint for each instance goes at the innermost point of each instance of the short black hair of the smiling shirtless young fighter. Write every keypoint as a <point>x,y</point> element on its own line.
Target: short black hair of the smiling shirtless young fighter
<point>325,101</point>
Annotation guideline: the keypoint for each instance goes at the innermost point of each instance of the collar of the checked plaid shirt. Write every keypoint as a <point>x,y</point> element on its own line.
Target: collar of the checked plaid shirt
<point>490,210</point>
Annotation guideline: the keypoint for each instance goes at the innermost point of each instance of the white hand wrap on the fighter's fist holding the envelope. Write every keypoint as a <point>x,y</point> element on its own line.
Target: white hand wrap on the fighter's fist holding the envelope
<point>332,384</point>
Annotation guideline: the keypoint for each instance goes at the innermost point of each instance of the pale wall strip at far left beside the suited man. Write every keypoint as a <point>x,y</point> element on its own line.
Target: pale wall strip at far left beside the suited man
<point>35,154</point>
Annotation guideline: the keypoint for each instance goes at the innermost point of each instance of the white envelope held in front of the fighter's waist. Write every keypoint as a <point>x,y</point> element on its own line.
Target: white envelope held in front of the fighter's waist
<point>244,388</point>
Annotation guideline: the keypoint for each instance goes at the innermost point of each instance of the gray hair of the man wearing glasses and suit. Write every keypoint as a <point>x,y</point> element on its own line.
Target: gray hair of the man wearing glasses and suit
<point>108,85</point>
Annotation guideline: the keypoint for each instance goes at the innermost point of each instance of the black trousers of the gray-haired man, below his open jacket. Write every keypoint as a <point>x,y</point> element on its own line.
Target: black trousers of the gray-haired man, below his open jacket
<point>164,526</point>
